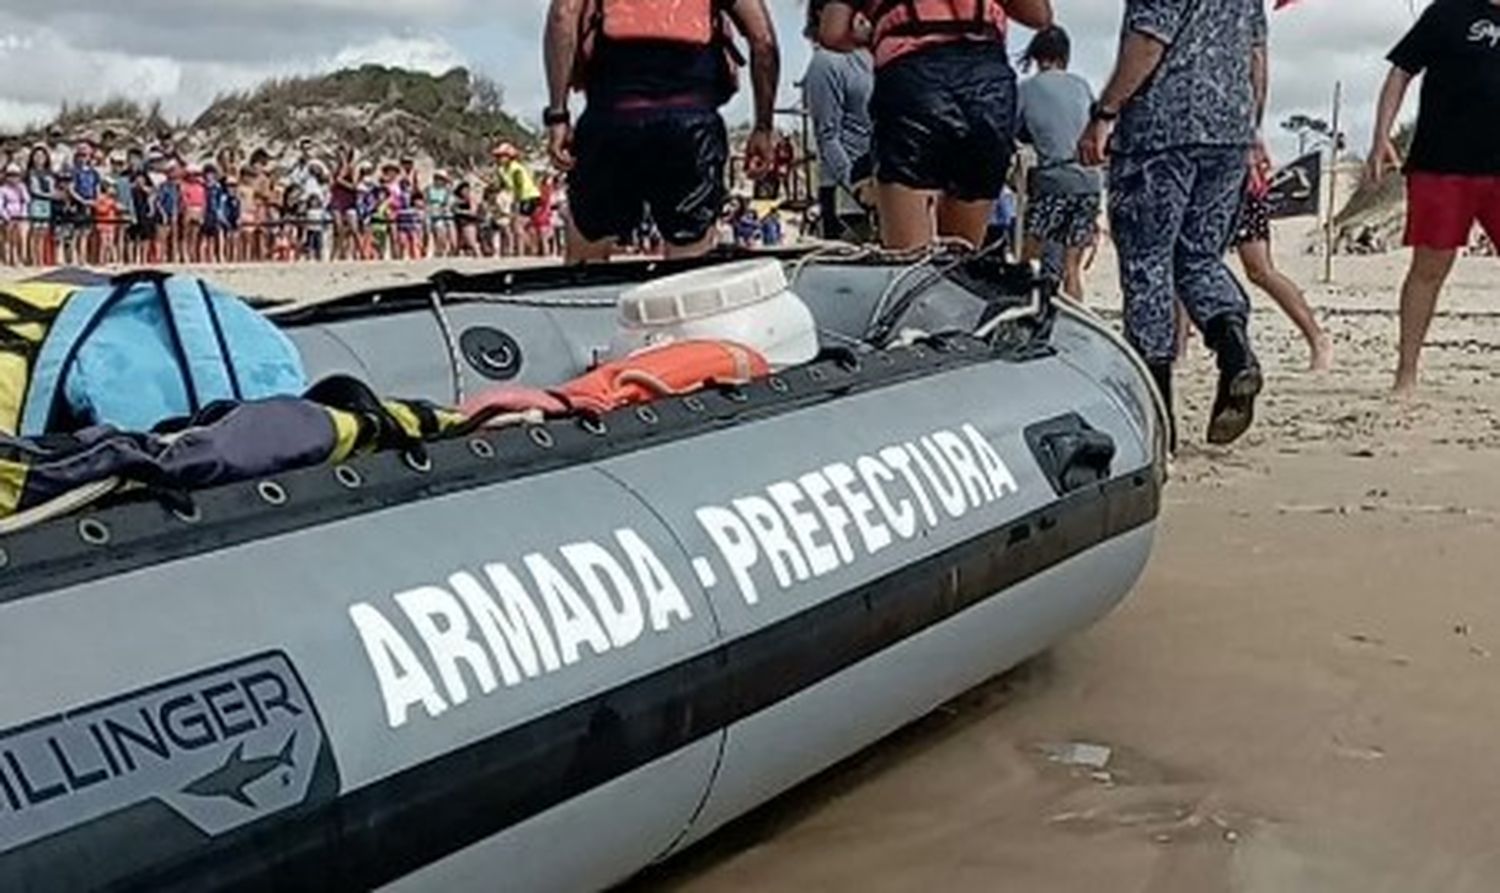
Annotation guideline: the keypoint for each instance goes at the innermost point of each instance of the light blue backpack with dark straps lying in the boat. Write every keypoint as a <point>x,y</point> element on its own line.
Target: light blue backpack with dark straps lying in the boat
<point>154,347</point>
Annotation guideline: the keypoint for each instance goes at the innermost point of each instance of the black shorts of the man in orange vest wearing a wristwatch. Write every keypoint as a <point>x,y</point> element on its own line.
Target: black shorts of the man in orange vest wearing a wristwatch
<point>668,161</point>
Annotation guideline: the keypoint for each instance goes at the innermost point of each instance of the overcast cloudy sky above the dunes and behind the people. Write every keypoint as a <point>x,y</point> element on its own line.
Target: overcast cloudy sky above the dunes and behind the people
<point>187,52</point>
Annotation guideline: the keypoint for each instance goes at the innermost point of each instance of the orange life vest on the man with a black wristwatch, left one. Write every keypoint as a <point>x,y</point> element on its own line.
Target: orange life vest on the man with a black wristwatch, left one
<point>692,23</point>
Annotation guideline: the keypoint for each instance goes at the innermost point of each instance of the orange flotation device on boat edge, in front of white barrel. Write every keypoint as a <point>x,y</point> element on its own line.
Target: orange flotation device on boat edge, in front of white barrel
<point>664,371</point>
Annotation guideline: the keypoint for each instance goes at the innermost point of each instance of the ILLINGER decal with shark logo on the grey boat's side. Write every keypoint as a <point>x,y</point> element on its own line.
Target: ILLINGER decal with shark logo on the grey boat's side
<point>214,753</point>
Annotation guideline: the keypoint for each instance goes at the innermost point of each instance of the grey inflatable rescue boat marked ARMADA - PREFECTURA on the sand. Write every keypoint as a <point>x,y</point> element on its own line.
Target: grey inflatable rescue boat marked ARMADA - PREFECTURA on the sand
<point>551,652</point>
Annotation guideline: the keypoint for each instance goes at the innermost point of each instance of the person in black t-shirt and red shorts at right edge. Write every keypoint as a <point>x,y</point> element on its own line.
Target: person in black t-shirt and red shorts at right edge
<point>1454,172</point>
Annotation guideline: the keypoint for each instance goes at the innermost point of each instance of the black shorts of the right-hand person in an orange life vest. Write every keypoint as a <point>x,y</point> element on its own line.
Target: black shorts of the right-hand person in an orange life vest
<point>946,121</point>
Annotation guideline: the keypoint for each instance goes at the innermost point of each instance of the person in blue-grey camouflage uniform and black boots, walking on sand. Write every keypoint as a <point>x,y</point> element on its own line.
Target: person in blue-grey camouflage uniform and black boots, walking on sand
<point>1184,110</point>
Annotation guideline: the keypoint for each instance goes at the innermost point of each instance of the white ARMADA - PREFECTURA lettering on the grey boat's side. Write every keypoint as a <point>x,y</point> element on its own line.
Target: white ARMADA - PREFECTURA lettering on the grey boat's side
<point>509,624</point>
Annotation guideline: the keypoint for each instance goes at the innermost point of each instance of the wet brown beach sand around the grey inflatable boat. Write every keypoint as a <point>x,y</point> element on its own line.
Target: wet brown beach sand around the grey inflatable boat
<point>1301,696</point>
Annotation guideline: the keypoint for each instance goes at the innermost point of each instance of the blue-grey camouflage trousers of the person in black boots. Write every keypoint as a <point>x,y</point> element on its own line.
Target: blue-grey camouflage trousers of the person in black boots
<point>1174,215</point>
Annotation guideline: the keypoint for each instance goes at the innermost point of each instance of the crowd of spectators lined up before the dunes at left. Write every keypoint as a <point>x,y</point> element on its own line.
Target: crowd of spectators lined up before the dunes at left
<point>98,202</point>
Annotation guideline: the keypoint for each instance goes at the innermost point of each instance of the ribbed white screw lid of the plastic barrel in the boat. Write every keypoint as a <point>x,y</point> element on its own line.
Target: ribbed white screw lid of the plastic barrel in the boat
<point>703,293</point>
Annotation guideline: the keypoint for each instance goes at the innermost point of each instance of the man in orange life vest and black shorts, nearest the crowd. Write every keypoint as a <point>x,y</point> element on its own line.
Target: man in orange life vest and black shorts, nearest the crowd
<point>652,140</point>
